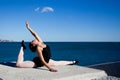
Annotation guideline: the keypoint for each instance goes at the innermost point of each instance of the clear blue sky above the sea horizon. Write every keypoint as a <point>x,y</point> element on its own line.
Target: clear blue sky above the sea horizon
<point>61,20</point>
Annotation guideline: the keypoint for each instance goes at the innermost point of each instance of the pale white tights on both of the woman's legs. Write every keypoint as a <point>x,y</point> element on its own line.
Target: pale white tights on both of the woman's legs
<point>30,64</point>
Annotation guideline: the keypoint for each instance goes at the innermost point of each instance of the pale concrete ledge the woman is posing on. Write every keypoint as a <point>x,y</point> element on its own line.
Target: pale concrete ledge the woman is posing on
<point>42,73</point>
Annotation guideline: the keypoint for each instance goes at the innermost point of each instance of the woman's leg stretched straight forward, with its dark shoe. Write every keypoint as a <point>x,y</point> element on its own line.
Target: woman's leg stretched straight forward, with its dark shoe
<point>56,63</point>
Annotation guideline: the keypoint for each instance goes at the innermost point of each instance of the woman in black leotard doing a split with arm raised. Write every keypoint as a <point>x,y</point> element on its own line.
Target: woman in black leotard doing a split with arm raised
<point>43,52</point>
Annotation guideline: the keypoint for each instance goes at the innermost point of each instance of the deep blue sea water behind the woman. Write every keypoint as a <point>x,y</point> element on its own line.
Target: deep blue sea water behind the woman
<point>88,53</point>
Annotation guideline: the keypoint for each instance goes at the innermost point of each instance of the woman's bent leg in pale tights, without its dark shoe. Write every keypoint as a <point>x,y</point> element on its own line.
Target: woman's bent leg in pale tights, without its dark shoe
<point>20,61</point>
